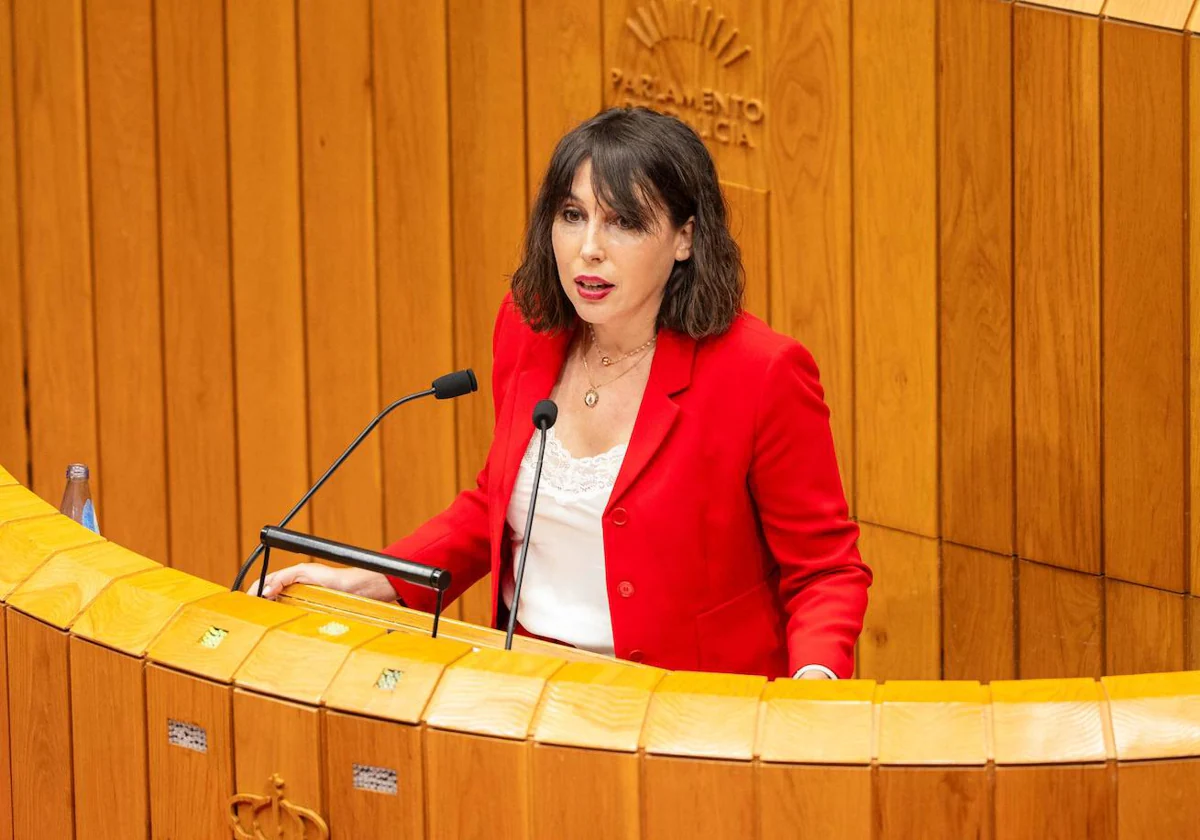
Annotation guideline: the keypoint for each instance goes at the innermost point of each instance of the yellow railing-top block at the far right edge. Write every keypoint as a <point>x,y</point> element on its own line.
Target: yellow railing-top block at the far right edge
<point>1155,716</point>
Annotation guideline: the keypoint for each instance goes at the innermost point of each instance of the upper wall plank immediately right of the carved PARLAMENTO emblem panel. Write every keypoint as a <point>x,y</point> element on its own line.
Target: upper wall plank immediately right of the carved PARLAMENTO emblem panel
<point>808,151</point>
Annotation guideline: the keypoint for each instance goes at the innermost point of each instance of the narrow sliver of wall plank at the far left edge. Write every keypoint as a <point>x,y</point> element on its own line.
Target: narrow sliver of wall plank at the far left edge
<point>14,435</point>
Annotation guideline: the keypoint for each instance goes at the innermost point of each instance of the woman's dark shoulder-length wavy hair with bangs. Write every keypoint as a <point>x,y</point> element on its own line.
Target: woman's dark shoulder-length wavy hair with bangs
<point>641,161</point>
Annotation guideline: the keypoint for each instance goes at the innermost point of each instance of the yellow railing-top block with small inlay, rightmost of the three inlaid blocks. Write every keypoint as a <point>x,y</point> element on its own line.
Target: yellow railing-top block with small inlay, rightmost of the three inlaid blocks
<point>393,676</point>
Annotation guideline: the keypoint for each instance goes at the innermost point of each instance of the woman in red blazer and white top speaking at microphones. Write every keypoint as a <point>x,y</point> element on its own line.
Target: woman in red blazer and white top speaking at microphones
<point>691,514</point>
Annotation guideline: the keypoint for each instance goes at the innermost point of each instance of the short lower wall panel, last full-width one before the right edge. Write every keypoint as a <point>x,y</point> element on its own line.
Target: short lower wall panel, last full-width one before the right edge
<point>1144,629</point>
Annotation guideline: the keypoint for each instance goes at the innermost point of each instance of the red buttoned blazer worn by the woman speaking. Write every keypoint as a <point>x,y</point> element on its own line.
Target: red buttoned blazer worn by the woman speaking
<point>728,544</point>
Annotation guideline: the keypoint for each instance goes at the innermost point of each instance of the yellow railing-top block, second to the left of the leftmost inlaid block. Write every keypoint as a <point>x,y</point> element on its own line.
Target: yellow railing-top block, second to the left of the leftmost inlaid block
<point>65,585</point>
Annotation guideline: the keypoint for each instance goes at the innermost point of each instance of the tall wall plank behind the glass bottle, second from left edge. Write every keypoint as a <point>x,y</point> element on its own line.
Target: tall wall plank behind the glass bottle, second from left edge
<point>56,245</point>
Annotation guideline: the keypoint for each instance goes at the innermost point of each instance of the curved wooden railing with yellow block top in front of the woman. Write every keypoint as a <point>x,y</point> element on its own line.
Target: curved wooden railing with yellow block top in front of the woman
<point>146,703</point>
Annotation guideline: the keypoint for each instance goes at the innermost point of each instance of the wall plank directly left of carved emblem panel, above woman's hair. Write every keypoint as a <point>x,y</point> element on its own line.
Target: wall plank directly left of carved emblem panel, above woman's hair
<point>563,75</point>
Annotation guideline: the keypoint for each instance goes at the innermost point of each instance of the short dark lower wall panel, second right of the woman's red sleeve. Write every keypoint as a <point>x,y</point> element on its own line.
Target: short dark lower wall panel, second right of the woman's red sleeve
<point>979,604</point>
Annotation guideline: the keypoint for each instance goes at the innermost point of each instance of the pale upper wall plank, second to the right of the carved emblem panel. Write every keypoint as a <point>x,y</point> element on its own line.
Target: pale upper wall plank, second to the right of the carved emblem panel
<point>896,265</point>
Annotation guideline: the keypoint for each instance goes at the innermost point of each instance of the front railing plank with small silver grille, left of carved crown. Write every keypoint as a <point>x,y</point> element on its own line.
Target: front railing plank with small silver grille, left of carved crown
<point>189,790</point>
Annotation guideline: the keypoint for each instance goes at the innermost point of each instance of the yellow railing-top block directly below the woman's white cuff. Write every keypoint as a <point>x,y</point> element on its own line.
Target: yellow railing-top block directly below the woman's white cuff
<point>818,722</point>
